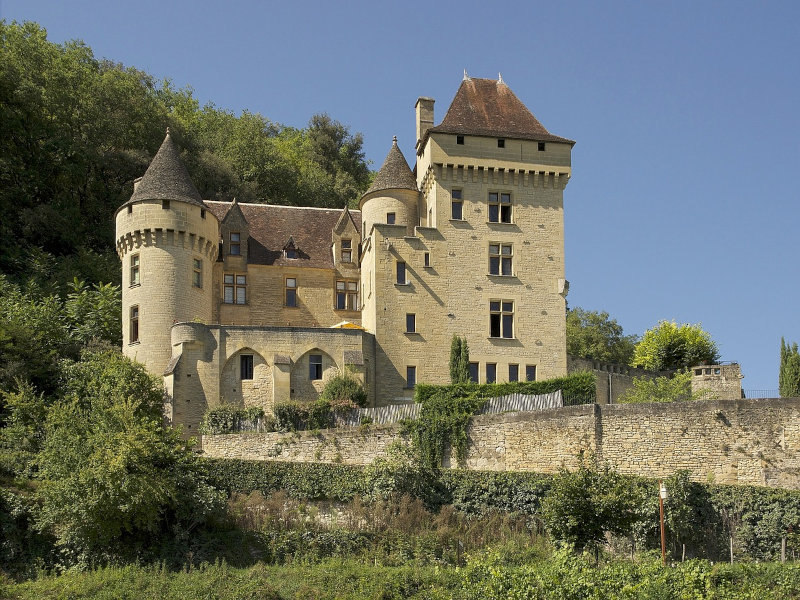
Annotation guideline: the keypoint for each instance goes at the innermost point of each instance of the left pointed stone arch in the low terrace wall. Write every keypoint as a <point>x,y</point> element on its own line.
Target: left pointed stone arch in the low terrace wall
<point>247,392</point>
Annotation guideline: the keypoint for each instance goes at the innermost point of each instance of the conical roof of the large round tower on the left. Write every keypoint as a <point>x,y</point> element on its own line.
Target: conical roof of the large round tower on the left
<point>167,178</point>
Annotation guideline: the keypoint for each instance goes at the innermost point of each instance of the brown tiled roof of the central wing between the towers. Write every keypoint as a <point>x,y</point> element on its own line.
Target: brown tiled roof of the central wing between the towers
<point>270,226</point>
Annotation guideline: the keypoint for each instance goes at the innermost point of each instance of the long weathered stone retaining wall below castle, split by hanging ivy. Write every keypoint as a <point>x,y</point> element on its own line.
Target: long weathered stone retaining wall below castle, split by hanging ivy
<point>755,442</point>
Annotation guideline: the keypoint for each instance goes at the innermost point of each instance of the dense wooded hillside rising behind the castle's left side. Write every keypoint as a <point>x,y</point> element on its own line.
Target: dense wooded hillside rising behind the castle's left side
<point>77,130</point>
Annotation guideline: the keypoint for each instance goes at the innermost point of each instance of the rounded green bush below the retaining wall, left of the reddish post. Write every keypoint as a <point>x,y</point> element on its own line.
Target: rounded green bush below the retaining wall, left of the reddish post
<point>581,506</point>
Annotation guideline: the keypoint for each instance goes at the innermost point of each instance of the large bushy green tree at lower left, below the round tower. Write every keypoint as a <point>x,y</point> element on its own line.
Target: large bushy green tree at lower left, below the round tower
<point>114,478</point>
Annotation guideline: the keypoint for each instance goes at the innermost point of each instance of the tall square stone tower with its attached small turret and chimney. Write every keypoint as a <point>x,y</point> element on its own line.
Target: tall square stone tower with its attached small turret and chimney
<point>480,255</point>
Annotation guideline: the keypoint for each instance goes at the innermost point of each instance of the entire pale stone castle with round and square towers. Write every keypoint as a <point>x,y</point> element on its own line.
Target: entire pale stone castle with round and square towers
<point>253,304</point>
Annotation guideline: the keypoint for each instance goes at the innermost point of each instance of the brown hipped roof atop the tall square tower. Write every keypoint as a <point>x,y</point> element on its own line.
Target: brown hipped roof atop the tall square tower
<point>489,108</point>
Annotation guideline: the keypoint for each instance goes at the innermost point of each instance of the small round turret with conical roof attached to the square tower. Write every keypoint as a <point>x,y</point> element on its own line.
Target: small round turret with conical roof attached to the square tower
<point>393,195</point>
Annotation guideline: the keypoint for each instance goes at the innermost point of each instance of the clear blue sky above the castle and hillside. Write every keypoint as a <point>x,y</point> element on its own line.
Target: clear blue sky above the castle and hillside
<point>682,203</point>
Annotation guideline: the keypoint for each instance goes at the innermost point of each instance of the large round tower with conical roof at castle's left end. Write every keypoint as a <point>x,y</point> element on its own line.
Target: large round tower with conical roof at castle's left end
<point>168,241</point>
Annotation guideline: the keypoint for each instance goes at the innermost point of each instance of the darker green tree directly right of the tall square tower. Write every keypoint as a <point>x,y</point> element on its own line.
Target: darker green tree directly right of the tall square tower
<point>592,334</point>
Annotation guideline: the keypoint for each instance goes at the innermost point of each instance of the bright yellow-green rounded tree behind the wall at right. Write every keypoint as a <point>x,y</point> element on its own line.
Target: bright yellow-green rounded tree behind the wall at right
<point>672,346</point>
